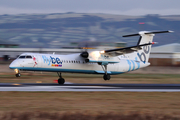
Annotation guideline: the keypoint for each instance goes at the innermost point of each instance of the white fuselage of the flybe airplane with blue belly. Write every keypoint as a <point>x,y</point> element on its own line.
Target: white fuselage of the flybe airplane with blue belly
<point>73,63</point>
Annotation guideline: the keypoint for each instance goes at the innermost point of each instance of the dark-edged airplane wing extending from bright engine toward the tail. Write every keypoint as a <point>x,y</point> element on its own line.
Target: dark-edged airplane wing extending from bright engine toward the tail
<point>121,51</point>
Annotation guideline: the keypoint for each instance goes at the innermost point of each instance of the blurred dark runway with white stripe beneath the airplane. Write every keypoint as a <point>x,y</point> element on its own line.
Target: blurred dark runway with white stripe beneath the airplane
<point>89,87</point>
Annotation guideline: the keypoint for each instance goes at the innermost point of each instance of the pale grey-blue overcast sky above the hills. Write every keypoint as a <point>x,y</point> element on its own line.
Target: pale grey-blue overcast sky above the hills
<point>120,7</point>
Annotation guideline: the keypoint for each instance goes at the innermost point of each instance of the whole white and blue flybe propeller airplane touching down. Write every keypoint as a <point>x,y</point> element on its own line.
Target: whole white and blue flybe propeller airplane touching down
<point>105,62</point>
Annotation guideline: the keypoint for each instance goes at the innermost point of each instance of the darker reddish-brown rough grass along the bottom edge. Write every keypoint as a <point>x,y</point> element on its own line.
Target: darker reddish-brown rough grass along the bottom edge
<point>84,116</point>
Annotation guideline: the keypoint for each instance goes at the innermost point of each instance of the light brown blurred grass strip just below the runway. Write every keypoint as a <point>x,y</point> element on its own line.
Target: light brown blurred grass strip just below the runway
<point>93,102</point>
